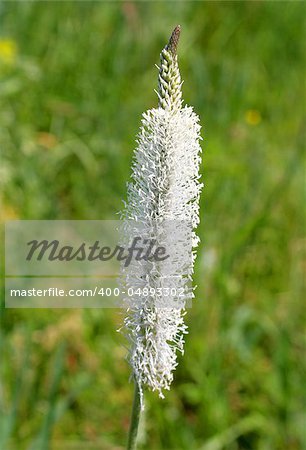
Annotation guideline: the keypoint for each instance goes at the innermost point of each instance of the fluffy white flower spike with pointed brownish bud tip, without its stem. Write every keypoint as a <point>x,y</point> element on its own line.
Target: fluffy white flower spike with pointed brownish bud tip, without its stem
<point>165,189</point>
